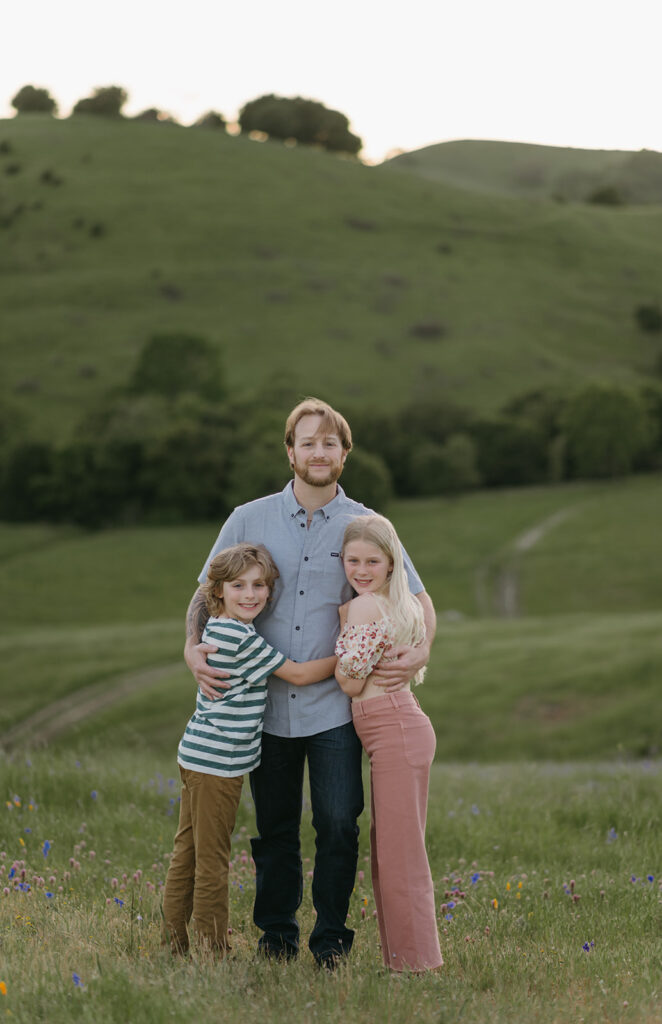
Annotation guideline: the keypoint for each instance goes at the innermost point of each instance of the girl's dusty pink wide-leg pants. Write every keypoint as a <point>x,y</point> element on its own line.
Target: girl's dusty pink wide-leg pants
<point>400,742</point>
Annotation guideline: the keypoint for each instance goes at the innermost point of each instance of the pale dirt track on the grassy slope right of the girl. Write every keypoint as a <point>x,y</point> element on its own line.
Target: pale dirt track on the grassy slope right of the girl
<point>498,579</point>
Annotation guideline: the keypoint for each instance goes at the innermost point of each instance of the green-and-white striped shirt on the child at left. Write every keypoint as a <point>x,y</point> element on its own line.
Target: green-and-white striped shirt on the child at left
<point>224,738</point>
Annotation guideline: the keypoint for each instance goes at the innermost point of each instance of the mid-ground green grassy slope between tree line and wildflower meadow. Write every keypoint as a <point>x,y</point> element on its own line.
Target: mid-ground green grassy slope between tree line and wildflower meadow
<point>552,685</point>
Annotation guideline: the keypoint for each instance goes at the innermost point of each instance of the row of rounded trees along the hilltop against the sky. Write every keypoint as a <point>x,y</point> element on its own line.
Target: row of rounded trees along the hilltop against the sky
<point>306,121</point>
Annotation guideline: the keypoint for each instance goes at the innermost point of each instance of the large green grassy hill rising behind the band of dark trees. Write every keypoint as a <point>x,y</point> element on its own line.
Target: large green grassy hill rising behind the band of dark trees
<point>299,264</point>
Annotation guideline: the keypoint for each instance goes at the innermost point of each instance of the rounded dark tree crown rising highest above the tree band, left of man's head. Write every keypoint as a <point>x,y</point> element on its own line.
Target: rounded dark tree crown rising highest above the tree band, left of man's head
<point>174,364</point>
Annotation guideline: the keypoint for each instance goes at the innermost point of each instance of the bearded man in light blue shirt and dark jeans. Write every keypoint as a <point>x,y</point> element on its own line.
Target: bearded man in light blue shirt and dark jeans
<point>303,527</point>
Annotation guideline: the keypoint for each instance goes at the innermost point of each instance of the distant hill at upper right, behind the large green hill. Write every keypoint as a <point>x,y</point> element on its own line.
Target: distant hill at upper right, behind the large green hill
<point>536,172</point>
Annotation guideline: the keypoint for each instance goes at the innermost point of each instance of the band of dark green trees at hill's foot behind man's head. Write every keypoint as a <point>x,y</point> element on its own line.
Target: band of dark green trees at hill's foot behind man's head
<point>175,447</point>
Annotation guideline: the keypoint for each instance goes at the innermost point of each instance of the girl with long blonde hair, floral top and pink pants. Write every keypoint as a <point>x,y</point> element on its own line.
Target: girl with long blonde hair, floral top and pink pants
<point>398,738</point>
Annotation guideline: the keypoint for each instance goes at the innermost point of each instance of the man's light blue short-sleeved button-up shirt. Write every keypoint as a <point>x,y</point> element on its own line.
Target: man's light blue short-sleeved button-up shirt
<point>302,620</point>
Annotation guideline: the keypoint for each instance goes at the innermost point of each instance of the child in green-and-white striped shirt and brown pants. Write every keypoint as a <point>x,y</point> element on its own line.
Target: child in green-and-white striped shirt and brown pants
<point>222,743</point>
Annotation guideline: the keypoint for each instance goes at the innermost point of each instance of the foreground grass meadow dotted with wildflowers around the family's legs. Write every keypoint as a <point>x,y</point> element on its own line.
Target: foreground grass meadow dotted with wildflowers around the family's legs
<point>548,886</point>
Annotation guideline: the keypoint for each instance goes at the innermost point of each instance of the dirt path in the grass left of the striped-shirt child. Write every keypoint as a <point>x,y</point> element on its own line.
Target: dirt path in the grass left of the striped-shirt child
<point>57,718</point>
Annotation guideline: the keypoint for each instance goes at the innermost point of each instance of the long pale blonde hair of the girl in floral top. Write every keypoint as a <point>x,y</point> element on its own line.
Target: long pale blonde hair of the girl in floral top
<point>399,604</point>
